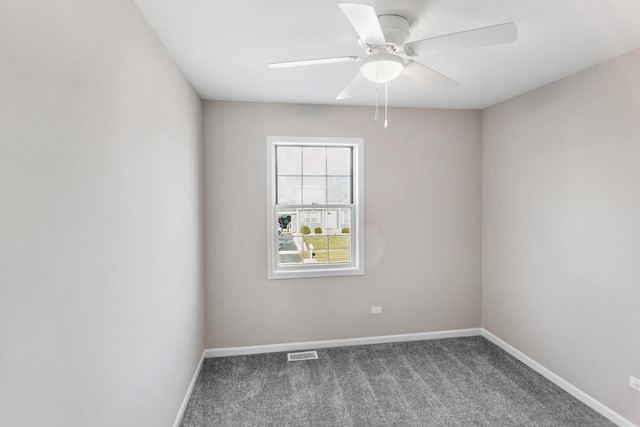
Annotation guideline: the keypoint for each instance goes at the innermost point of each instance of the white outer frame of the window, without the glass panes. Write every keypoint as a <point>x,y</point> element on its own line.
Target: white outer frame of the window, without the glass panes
<point>356,266</point>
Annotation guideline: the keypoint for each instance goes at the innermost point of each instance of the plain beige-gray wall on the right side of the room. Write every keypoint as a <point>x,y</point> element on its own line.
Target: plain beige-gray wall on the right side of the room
<point>561,228</point>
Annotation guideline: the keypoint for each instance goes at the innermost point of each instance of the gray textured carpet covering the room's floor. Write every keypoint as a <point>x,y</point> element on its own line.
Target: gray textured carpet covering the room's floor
<point>448,382</point>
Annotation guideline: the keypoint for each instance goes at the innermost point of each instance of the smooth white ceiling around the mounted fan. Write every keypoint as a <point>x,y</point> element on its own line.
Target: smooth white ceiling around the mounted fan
<point>223,47</point>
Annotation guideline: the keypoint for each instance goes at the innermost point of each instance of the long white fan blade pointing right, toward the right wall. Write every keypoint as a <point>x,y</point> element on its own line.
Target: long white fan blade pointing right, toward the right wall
<point>487,36</point>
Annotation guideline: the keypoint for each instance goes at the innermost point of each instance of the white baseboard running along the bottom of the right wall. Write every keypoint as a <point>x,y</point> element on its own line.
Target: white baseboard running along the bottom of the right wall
<point>559,381</point>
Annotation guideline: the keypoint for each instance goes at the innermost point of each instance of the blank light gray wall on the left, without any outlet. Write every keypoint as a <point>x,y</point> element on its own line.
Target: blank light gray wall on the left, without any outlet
<point>101,307</point>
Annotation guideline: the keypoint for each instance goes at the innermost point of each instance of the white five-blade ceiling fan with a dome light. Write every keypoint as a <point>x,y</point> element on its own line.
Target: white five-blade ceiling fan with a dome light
<point>385,39</point>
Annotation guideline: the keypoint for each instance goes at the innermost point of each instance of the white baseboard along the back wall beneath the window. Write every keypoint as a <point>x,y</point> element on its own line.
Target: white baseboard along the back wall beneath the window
<point>312,345</point>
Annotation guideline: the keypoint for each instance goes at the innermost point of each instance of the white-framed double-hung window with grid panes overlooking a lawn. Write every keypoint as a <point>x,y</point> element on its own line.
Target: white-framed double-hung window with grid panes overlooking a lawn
<point>315,217</point>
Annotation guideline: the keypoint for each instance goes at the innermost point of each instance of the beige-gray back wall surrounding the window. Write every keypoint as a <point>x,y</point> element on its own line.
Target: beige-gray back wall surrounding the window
<point>422,222</point>
